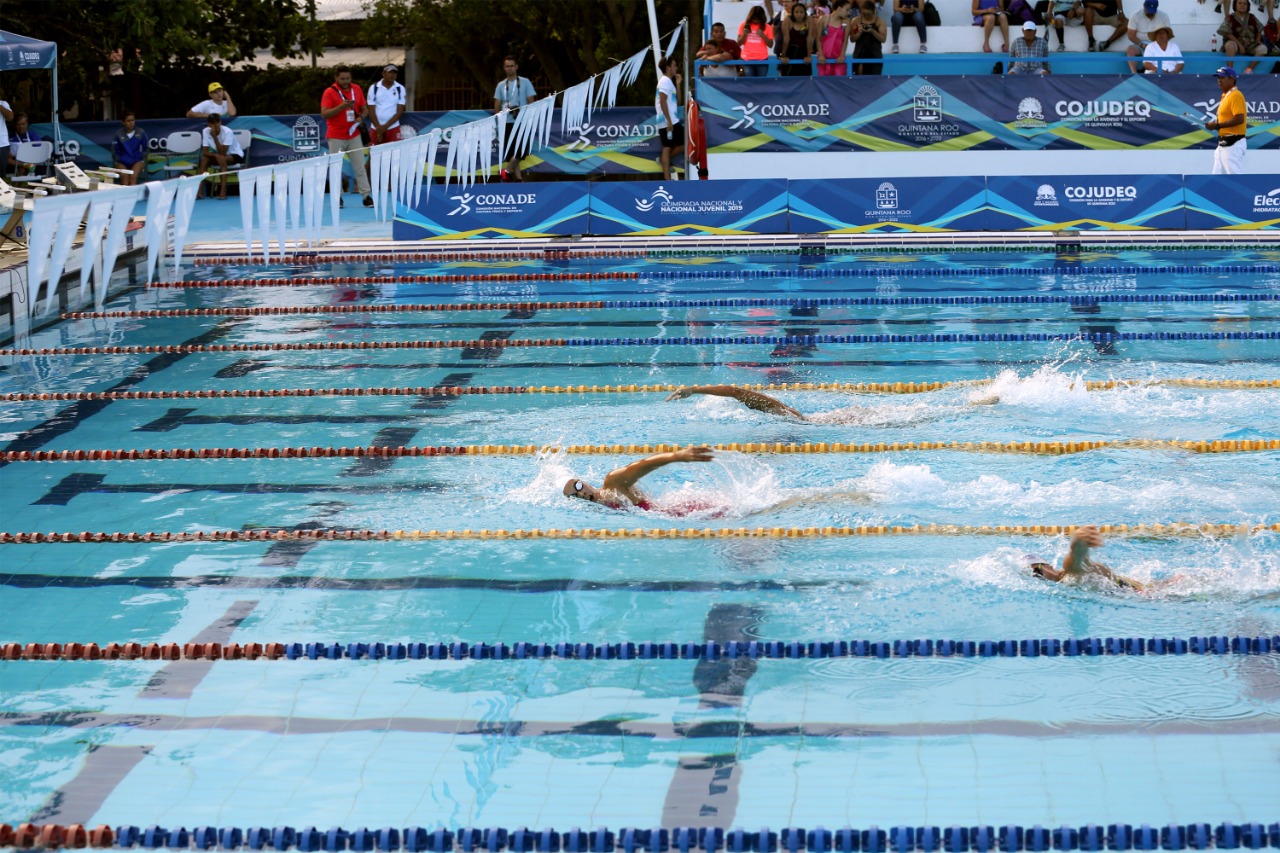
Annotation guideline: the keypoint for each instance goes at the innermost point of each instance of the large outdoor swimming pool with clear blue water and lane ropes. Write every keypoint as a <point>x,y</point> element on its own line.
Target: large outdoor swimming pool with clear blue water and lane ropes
<point>1005,348</point>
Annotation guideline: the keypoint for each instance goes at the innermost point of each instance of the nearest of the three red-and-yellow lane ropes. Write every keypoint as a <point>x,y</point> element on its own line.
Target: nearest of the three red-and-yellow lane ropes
<point>1153,531</point>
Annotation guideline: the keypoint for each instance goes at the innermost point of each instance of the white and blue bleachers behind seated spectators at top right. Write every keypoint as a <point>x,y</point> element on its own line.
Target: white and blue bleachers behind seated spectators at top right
<point>956,48</point>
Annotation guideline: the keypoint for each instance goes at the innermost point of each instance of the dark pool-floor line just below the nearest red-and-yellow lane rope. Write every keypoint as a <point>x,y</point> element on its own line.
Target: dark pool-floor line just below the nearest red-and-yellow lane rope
<point>409,583</point>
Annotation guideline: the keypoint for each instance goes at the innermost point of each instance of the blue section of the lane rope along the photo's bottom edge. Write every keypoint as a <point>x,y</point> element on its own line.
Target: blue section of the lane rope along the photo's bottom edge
<point>793,840</point>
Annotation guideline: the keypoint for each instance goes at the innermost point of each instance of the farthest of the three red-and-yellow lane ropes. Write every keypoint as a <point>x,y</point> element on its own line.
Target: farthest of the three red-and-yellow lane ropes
<point>446,391</point>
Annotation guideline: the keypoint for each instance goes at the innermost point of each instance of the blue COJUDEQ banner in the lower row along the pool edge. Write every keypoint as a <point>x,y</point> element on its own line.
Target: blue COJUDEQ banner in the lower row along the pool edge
<point>1085,203</point>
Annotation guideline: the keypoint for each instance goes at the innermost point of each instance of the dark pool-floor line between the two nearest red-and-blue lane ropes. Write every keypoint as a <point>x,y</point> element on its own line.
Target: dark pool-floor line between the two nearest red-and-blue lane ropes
<point>612,728</point>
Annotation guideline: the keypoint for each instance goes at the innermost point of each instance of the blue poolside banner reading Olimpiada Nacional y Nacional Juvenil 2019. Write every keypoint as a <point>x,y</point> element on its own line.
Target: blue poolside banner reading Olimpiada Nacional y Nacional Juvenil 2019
<point>670,208</point>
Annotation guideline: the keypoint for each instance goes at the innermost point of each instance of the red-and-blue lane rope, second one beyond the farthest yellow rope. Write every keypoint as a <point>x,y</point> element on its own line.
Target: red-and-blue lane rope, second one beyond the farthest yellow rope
<point>801,303</point>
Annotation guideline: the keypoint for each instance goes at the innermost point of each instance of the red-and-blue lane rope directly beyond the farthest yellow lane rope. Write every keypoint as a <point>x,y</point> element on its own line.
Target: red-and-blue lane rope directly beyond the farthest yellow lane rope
<point>743,340</point>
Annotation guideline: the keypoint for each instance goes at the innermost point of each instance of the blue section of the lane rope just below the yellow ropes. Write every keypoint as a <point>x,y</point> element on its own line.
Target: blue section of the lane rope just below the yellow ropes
<point>779,650</point>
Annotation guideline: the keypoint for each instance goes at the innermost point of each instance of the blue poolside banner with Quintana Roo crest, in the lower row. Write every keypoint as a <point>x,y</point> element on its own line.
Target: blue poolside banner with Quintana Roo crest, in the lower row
<point>862,206</point>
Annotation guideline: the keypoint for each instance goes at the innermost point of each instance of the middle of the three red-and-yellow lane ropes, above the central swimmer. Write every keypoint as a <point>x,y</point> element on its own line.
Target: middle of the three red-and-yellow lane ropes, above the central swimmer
<point>387,451</point>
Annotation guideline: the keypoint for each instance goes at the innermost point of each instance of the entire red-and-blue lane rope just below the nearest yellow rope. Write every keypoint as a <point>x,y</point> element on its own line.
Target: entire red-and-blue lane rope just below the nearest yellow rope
<point>643,651</point>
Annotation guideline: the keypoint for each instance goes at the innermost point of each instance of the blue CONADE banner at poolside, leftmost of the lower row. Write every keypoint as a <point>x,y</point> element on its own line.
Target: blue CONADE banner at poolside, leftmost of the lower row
<point>496,211</point>
